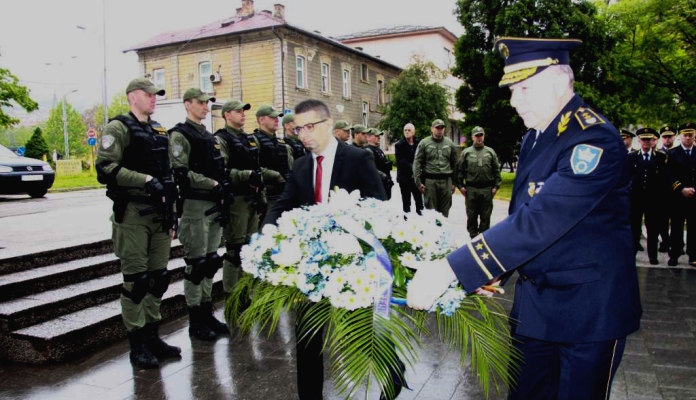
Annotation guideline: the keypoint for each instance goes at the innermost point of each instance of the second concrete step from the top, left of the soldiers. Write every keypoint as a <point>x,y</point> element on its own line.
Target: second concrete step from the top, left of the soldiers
<point>28,282</point>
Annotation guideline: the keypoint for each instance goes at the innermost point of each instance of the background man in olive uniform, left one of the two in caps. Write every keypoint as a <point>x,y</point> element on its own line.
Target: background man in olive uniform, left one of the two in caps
<point>433,168</point>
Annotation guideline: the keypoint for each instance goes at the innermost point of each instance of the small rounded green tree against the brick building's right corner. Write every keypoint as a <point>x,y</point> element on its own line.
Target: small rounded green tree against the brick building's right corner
<point>416,97</point>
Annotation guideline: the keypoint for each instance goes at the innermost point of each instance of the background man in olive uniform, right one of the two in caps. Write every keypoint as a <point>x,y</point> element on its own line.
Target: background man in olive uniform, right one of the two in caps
<point>478,178</point>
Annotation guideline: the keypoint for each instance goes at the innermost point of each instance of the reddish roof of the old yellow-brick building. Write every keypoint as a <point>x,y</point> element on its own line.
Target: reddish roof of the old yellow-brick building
<point>241,24</point>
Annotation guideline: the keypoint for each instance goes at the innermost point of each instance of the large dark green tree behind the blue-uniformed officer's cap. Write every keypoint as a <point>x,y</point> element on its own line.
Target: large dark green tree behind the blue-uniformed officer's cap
<point>484,103</point>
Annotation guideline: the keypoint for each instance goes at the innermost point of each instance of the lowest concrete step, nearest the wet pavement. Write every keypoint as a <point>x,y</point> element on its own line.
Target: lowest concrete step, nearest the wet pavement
<point>77,333</point>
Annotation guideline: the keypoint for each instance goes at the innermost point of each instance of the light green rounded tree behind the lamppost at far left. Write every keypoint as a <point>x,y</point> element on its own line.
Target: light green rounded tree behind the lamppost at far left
<point>77,132</point>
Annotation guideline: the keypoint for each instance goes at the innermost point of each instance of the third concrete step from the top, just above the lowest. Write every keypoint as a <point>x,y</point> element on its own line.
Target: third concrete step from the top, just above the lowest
<point>39,307</point>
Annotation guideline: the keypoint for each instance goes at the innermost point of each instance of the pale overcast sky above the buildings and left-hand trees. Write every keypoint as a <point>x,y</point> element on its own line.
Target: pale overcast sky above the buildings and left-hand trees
<point>34,33</point>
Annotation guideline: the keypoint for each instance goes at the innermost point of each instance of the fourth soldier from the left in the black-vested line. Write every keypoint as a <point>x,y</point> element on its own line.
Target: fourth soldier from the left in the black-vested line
<point>275,154</point>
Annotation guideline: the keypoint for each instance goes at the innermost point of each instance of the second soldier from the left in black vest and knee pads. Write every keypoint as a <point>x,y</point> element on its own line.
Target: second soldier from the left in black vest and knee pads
<point>199,170</point>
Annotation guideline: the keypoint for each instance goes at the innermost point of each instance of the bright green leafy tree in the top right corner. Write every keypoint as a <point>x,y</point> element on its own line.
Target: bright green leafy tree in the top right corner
<point>654,58</point>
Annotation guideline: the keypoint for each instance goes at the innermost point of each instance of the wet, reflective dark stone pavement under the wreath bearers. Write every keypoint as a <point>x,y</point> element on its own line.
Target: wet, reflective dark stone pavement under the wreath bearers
<point>659,362</point>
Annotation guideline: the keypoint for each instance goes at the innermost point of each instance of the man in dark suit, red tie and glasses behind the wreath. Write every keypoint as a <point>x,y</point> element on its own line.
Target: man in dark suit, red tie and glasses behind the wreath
<point>329,165</point>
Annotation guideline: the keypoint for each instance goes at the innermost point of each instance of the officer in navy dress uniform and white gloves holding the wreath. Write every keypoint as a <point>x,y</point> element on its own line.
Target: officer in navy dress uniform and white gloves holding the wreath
<point>567,235</point>
